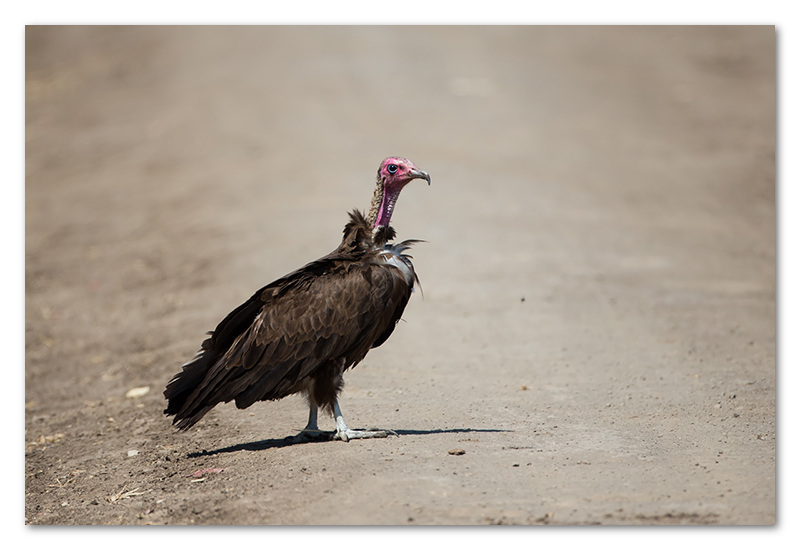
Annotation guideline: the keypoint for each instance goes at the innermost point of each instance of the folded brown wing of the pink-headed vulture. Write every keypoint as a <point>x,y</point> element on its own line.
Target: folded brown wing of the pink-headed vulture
<point>289,329</point>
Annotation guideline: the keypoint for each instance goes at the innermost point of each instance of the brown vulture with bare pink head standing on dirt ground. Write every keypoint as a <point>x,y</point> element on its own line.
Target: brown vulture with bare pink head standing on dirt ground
<point>300,333</point>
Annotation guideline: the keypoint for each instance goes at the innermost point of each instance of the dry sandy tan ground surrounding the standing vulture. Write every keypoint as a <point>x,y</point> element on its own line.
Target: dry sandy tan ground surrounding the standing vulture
<point>597,325</point>
